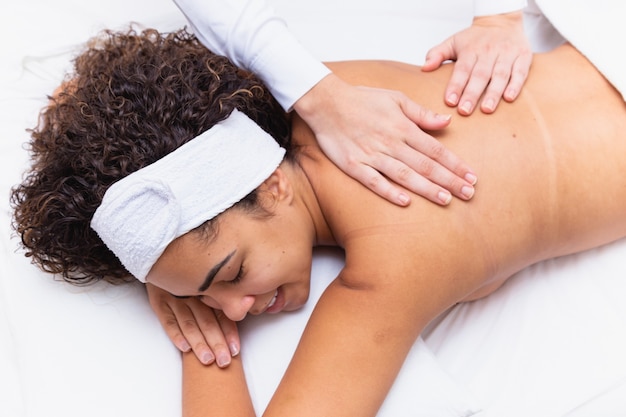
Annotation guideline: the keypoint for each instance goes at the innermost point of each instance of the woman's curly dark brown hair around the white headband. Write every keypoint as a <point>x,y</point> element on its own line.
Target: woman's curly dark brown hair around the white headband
<point>131,98</point>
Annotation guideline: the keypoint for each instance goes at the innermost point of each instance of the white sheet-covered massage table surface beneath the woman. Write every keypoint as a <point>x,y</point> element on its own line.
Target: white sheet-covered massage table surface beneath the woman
<point>551,342</point>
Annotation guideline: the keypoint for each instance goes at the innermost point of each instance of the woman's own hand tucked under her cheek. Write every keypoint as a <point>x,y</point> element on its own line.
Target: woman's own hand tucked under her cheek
<point>192,325</point>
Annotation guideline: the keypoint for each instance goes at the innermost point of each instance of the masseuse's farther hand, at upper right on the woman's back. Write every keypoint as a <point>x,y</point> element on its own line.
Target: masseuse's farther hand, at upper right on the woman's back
<point>492,56</point>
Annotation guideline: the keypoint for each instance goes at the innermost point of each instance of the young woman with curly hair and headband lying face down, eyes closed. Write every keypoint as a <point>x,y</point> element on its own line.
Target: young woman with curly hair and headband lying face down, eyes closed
<point>552,183</point>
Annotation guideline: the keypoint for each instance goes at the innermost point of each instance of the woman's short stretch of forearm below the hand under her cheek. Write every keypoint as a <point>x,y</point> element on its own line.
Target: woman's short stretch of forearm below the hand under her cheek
<point>209,391</point>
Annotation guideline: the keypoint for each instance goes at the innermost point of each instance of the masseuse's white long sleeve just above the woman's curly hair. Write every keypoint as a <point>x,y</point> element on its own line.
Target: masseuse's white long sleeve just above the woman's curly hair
<point>253,37</point>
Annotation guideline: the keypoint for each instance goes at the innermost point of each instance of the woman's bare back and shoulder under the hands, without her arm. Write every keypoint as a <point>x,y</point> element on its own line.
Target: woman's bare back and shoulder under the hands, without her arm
<point>551,178</point>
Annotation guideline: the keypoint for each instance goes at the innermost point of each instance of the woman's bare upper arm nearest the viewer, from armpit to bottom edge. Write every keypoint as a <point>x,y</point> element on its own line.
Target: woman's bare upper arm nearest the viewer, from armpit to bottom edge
<point>351,351</point>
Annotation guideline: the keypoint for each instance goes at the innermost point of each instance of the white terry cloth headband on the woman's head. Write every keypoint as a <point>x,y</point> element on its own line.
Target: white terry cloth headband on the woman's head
<point>144,212</point>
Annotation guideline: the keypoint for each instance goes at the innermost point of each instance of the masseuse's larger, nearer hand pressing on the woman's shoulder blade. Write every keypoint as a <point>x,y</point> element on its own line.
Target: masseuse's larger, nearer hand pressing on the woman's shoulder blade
<point>374,135</point>
